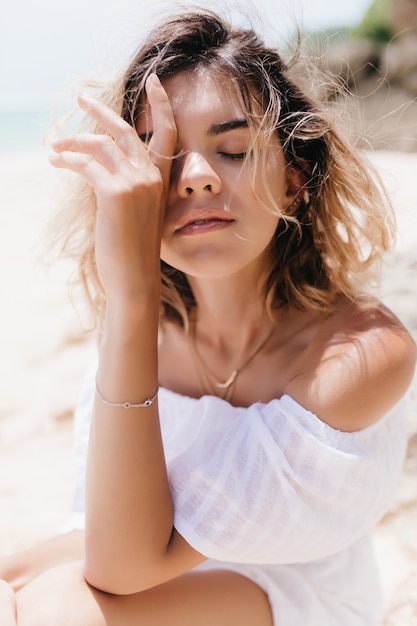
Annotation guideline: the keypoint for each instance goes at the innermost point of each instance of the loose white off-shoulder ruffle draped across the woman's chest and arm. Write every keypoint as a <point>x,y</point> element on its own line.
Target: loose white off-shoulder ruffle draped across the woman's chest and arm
<point>272,483</point>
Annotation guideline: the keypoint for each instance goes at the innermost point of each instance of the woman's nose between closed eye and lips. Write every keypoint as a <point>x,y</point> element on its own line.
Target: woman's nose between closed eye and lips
<point>193,173</point>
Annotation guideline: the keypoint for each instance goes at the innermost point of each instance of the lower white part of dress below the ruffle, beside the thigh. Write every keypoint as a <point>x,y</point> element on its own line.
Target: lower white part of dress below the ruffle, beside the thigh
<point>342,590</point>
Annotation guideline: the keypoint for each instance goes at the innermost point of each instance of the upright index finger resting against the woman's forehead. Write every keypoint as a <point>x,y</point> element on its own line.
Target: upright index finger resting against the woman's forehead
<point>164,137</point>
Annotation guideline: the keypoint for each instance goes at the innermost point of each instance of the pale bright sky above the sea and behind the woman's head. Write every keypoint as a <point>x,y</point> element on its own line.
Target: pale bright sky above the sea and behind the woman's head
<point>48,45</point>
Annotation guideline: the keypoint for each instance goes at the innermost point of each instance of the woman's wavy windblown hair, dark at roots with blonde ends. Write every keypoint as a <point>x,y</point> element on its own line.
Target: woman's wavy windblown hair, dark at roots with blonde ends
<point>340,229</point>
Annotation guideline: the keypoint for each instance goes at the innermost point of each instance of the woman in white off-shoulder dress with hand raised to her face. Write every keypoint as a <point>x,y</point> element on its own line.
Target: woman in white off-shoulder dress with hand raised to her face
<point>225,245</point>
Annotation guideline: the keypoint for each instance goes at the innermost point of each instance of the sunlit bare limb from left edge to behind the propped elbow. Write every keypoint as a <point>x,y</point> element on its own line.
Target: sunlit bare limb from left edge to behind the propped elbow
<point>20,568</point>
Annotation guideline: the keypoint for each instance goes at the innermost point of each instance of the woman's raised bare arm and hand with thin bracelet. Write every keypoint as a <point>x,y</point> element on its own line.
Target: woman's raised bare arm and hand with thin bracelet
<point>130,541</point>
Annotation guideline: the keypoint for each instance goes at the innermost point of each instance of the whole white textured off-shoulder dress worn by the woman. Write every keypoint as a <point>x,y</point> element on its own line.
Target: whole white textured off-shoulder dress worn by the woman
<point>274,493</point>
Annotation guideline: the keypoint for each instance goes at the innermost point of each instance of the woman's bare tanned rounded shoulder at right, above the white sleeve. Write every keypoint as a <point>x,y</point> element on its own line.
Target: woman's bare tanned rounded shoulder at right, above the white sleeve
<point>359,365</point>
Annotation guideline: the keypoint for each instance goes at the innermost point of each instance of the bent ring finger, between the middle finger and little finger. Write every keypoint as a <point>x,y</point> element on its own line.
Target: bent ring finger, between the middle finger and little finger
<point>102,148</point>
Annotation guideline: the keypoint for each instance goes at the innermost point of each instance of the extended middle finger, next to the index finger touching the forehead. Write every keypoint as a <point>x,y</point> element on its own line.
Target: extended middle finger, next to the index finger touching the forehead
<point>123,134</point>
